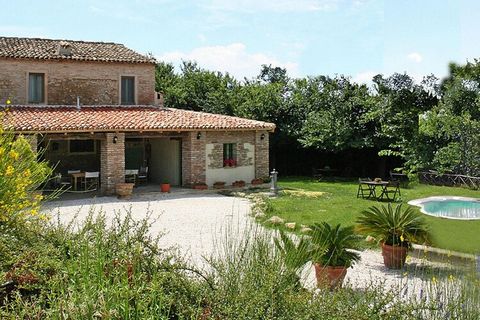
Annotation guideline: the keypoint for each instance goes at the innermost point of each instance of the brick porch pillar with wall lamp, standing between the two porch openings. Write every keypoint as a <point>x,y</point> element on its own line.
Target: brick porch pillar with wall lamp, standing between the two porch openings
<point>112,162</point>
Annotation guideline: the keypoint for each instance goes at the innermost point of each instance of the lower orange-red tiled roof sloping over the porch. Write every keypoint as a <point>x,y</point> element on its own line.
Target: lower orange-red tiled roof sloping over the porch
<point>23,118</point>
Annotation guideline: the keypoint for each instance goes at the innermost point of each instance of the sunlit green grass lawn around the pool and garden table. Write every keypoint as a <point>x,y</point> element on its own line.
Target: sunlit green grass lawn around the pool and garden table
<point>339,204</point>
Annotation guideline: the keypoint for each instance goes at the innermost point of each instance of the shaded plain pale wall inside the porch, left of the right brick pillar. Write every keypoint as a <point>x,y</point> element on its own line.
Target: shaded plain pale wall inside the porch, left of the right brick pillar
<point>165,161</point>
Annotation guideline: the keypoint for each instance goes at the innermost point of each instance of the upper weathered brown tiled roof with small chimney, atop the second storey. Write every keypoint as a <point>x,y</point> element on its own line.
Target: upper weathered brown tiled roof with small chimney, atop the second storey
<point>48,49</point>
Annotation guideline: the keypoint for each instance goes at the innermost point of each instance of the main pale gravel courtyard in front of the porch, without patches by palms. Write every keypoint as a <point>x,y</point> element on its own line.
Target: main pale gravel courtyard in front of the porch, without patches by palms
<point>191,222</point>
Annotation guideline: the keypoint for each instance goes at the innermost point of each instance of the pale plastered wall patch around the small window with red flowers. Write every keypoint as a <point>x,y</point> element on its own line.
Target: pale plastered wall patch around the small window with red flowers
<point>230,174</point>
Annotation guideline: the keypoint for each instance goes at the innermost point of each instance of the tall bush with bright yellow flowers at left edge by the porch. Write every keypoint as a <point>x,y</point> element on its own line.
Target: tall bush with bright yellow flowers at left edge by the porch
<point>20,176</point>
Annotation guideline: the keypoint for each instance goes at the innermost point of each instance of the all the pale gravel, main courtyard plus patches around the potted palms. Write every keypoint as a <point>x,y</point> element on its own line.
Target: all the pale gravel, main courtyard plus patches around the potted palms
<point>194,222</point>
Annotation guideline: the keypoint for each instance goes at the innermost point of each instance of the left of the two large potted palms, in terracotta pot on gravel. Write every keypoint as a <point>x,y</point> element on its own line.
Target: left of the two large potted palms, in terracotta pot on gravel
<point>331,253</point>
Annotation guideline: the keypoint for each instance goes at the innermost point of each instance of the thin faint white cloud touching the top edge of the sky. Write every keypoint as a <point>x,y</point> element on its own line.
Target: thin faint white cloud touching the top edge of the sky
<point>269,5</point>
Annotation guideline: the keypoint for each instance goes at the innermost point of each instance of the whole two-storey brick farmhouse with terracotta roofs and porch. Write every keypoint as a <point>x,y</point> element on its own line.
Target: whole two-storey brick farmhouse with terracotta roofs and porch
<point>92,106</point>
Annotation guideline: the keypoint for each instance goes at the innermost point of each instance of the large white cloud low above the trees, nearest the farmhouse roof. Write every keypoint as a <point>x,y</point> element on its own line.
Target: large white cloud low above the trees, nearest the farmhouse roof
<point>233,58</point>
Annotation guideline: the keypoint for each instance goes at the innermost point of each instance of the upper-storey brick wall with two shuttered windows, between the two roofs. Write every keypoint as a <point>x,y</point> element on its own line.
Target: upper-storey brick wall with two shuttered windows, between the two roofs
<point>95,82</point>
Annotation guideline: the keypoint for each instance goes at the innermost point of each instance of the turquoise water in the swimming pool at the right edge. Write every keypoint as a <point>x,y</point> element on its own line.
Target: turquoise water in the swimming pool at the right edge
<point>449,208</point>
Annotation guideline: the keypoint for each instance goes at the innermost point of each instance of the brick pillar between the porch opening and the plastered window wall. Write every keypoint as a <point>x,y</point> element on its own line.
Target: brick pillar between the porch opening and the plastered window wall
<point>193,158</point>
